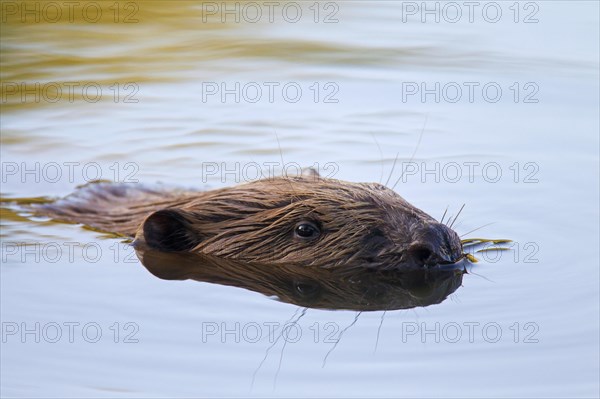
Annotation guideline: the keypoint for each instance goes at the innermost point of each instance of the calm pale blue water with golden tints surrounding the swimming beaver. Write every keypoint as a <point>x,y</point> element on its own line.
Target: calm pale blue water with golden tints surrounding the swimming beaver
<point>495,107</point>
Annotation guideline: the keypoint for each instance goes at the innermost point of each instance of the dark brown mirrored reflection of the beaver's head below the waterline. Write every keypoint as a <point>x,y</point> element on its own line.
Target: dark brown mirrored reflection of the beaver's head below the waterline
<point>353,288</point>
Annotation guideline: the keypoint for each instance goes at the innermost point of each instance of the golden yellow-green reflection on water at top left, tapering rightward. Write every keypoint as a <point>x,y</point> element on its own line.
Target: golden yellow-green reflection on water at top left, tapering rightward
<point>113,48</point>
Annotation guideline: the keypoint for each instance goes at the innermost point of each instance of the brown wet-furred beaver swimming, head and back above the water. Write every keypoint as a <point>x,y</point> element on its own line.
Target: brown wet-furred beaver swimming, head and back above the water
<point>309,221</point>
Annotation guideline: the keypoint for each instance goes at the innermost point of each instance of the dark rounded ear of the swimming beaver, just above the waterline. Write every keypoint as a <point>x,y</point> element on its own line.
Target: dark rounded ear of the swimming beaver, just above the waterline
<point>170,230</point>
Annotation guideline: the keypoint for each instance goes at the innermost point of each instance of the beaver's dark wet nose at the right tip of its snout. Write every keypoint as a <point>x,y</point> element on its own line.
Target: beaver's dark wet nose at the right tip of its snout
<point>434,243</point>
